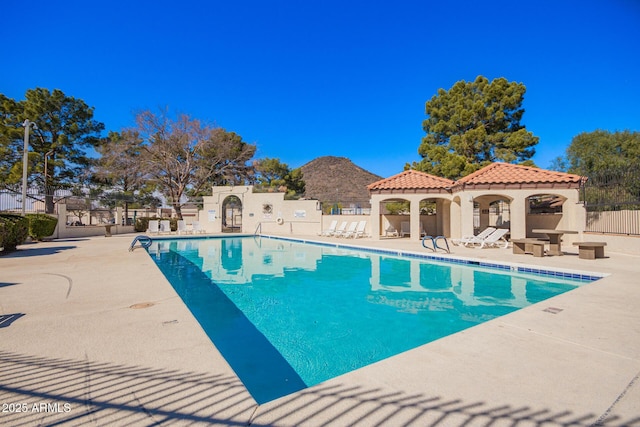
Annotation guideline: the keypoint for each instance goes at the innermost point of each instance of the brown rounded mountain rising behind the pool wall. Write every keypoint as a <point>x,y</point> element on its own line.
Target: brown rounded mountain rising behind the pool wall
<point>337,180</point>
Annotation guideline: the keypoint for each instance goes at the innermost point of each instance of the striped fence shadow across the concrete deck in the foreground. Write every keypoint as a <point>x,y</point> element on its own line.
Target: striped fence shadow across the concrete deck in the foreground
<point>78,392</point>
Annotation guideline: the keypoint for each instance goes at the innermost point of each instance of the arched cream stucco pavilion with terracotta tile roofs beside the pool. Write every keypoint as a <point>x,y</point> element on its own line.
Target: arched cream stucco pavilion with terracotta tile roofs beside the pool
<point>503,195</point>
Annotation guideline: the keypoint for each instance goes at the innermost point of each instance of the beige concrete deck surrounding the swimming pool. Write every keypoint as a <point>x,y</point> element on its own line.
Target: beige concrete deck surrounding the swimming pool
<point>91,334</point>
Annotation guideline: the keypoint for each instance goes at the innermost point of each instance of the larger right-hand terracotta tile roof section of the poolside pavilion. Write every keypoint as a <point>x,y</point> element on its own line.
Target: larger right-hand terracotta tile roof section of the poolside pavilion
<point>506,173</point>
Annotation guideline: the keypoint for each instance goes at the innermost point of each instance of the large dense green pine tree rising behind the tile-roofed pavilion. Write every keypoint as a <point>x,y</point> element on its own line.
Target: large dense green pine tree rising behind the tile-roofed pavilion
<point>474,124</point>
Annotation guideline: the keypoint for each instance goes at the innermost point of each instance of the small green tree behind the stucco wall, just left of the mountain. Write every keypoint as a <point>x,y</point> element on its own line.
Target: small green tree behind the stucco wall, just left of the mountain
<point>272,175</point>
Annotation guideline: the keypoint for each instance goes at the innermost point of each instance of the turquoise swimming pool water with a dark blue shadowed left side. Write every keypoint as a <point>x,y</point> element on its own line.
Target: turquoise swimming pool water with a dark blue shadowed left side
<point>287,315</point>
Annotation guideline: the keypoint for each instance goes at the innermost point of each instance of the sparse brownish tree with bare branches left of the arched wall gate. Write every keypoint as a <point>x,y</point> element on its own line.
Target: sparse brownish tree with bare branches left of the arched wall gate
<point>183,156</point>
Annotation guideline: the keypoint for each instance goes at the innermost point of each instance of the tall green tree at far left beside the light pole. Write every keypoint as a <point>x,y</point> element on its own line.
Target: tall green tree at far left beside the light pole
<point>65,128</point>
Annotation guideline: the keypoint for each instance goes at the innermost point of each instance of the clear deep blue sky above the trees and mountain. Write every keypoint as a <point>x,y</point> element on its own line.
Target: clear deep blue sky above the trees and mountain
<point>303,79</point>
